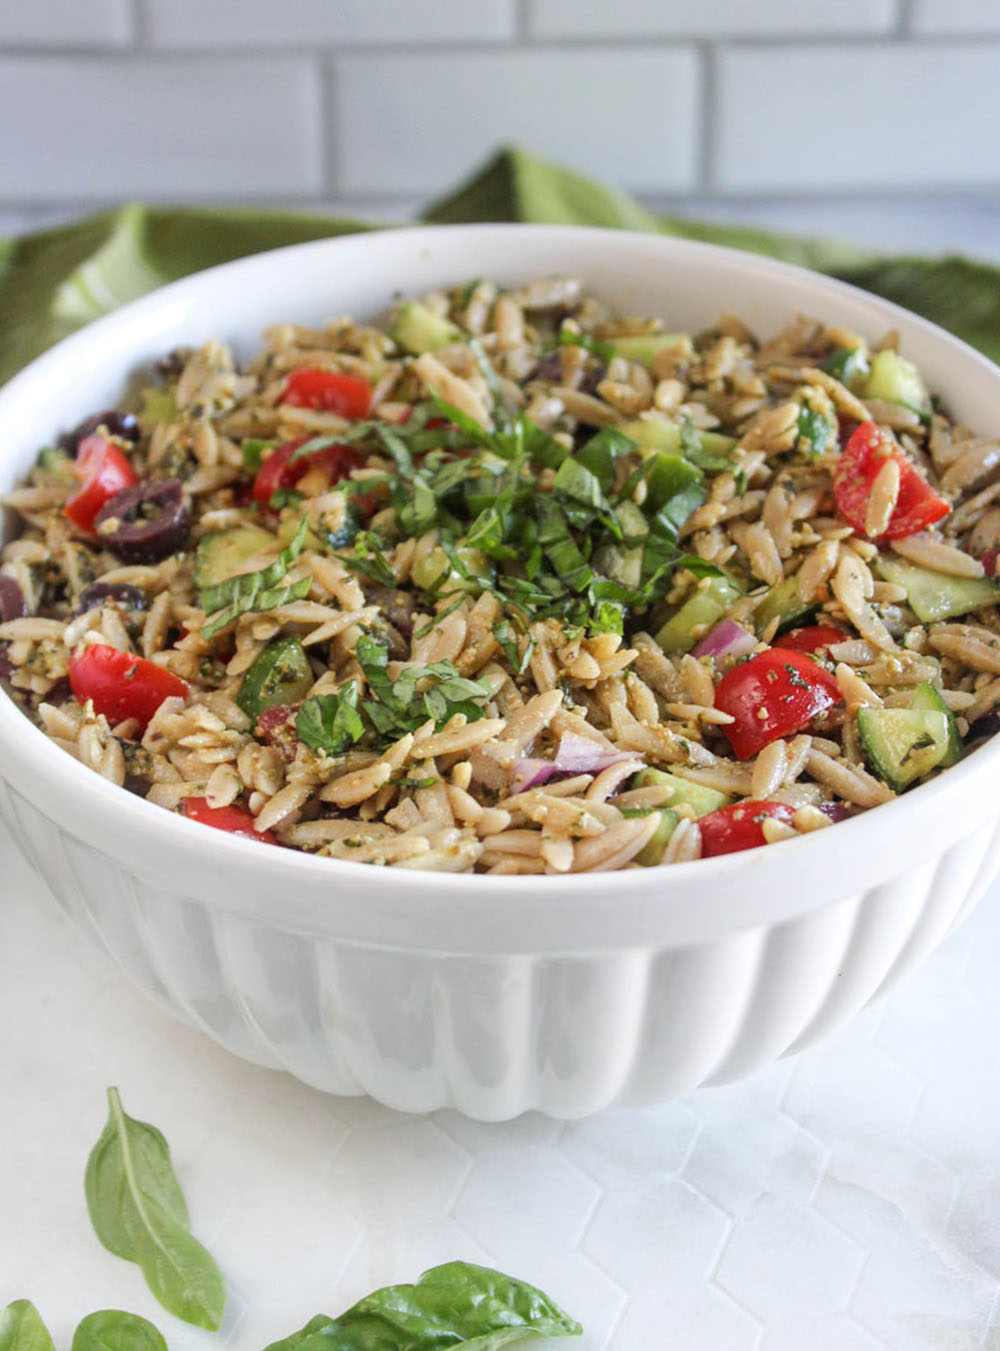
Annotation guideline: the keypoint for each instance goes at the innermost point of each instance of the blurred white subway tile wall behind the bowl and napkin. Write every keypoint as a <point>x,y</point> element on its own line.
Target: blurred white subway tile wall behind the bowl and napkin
<point>875,120</point>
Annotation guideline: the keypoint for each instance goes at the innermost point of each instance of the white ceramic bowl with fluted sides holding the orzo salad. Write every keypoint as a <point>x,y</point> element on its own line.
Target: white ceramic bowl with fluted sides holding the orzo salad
<point>486,994</point>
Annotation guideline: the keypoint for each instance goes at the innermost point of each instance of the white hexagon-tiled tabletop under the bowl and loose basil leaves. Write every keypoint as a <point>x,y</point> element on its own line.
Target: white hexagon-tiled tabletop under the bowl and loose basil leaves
<point>848,1200</point>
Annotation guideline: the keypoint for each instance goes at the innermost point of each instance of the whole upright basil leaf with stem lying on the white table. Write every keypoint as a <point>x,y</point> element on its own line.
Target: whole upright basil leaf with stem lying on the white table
<point>140,1214</point>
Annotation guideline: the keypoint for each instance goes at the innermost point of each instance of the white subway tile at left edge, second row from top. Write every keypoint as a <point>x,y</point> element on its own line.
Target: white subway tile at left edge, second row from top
<point>107,128</point>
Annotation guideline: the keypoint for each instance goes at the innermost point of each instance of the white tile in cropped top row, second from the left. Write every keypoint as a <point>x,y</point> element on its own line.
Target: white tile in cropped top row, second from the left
<point>241,24</point>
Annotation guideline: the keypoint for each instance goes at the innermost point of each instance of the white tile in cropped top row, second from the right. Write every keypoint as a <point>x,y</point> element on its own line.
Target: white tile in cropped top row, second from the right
<point>707,18</point>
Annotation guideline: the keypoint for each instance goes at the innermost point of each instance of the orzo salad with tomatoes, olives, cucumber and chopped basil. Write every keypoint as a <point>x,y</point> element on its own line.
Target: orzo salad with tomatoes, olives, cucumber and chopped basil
<point>514,584</point>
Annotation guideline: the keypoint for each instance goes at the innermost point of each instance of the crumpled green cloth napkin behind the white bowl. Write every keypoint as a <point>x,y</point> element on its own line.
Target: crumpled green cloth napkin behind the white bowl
<point>59,280</point>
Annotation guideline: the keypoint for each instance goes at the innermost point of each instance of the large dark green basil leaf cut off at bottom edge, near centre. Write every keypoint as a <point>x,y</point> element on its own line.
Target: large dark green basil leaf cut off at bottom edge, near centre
<point>452,1306</point>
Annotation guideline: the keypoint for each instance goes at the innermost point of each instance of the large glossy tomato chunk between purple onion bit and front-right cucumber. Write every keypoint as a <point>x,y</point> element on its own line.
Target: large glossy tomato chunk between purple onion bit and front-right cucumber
<point>774,695</point>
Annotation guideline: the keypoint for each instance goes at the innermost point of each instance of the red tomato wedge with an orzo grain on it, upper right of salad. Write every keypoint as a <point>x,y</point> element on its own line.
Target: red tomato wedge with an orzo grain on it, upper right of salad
<point>917,507</point>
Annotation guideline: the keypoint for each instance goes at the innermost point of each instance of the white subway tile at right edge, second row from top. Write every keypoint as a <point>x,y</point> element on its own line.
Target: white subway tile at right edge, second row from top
<point>806,118</point>
